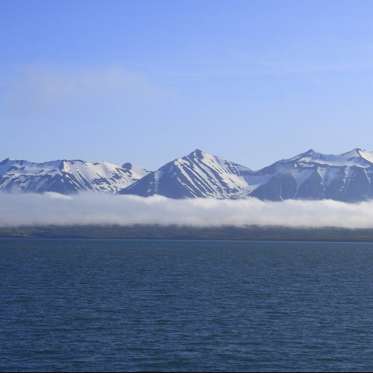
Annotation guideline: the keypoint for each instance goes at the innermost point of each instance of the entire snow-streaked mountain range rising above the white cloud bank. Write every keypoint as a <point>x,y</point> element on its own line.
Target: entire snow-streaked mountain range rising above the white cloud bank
<point>309,176</point>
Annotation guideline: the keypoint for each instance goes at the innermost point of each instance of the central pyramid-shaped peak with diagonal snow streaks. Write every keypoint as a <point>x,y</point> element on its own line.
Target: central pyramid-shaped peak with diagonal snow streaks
<point>199,174</point>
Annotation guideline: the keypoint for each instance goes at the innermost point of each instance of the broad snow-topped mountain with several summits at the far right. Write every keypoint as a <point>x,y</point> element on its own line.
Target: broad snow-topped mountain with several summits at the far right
<point>312,175</point>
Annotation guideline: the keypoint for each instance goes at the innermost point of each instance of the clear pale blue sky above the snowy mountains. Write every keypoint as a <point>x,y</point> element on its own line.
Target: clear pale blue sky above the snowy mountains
<point>147,81</point>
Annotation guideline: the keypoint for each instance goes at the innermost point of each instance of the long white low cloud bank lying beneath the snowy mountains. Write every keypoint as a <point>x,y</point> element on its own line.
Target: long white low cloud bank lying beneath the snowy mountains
<point>94,208</point>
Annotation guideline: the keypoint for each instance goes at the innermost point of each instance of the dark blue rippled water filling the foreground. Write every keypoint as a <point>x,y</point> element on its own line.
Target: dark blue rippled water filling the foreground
<point>80,305</point>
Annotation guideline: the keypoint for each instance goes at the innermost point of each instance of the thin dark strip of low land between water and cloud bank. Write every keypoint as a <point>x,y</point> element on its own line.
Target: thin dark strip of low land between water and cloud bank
<point>189,233</point>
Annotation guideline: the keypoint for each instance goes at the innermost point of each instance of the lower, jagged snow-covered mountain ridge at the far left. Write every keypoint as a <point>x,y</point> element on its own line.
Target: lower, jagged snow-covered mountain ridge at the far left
<point>66,176</point>
